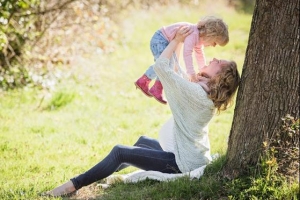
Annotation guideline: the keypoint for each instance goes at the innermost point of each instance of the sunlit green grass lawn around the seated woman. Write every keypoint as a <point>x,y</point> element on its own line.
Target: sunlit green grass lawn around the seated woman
<point>47,138</point>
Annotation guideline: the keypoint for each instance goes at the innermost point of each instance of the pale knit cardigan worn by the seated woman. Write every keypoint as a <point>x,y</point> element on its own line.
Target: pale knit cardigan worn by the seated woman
<point>192,110</point>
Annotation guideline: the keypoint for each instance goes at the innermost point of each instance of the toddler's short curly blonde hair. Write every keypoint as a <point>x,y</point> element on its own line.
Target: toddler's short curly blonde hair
<point>212,27</point>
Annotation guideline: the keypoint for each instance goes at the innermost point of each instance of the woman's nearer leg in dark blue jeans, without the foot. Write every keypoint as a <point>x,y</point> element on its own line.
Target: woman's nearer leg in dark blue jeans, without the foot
<point>140,157</point>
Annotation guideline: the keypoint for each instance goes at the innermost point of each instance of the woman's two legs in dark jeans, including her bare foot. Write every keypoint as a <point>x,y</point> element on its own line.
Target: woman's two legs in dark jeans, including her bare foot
<point>126,156</point>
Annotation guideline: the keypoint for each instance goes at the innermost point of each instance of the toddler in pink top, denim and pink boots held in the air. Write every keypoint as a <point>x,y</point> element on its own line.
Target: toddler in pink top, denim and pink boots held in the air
<point>209,31</point>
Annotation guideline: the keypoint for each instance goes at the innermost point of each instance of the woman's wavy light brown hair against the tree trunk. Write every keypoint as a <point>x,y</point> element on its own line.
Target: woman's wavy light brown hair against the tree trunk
<point>224,85</point>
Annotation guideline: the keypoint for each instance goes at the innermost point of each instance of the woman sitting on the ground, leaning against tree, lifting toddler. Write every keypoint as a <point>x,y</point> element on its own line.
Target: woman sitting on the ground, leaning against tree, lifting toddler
<point>183,144</point>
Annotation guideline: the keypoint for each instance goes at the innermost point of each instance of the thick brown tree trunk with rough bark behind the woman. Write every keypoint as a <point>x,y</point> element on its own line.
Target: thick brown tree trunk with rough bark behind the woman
<point>269,88</point>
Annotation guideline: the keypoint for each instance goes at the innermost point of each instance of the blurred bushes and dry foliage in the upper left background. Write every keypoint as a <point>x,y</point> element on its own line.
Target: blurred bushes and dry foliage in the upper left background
<point>38,36</point>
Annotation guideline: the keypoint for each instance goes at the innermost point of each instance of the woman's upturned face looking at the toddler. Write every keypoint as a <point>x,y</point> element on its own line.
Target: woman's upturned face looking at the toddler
<point>214,66</point>
